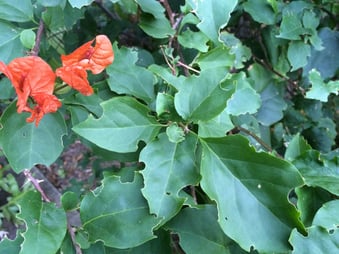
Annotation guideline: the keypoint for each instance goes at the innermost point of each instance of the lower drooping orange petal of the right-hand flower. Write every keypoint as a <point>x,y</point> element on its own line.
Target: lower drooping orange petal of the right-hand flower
<point>76,77</point>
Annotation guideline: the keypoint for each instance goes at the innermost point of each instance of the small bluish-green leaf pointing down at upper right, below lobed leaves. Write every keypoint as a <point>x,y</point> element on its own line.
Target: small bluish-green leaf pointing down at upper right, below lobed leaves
<point>297,54</point>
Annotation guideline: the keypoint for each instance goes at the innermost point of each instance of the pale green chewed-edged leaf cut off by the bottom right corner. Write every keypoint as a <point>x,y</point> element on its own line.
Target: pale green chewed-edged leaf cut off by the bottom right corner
<point>317,241</point>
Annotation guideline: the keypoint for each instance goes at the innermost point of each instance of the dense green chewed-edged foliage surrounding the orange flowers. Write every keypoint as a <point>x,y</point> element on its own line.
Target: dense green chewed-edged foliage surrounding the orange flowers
<point>229,109</point>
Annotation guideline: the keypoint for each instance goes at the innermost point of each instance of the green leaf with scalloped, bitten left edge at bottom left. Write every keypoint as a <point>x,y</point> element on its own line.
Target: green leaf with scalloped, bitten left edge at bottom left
<point>45,224</point>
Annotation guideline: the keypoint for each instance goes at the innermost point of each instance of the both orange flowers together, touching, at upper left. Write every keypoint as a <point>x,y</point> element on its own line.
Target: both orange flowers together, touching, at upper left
<point>33,78</point>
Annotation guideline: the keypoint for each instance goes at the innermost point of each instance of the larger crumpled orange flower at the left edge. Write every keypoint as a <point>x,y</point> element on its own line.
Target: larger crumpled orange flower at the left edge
<point>32,77</point>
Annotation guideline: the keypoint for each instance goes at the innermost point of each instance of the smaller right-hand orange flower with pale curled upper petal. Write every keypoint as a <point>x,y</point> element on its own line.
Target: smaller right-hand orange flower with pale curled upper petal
<point>86,57</point>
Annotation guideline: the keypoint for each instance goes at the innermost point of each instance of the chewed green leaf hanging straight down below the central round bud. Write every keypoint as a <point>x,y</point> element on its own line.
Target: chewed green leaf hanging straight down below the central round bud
<point>169,168</point>
